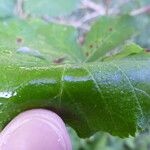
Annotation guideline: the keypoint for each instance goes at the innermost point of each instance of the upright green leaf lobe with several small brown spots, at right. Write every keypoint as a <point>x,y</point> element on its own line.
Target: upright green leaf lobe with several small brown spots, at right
<point>107,34</point>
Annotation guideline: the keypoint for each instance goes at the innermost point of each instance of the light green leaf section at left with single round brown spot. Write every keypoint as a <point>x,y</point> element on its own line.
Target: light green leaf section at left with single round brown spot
<point>50,42</point>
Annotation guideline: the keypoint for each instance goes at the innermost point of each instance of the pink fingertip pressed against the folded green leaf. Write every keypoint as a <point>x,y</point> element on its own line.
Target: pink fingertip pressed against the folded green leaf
<point>36,129</point>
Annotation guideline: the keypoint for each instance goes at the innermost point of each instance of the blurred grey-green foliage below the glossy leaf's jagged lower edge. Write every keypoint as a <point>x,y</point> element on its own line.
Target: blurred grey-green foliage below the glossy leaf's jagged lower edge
<point>106,141</point>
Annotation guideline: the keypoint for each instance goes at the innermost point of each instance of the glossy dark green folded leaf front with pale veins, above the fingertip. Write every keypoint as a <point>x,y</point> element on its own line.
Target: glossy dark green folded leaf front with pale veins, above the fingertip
<point>108,96</point>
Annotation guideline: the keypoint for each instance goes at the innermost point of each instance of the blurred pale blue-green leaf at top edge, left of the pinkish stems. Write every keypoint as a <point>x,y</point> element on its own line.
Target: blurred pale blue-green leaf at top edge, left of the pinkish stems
<point>50,7</point>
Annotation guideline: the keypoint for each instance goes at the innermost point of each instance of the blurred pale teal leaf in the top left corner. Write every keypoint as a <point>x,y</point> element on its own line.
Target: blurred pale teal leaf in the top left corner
<point>6,8</point>
